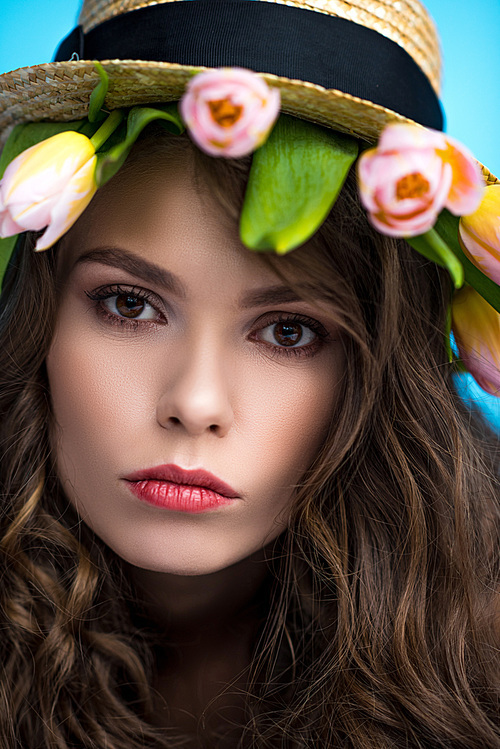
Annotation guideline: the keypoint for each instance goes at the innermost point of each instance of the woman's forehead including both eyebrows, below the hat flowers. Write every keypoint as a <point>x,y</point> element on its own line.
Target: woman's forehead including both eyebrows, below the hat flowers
<point>160,212</point>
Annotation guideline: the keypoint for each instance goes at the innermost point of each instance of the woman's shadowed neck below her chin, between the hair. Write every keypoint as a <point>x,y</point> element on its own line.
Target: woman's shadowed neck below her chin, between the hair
<point>207,626</point>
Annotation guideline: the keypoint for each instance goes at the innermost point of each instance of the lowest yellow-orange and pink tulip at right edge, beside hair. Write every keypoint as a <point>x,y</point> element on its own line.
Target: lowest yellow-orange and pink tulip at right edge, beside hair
<point>476,327</point>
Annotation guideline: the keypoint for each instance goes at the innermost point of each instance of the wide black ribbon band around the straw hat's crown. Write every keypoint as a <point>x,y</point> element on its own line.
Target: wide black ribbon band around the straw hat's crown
<point>268,38</point>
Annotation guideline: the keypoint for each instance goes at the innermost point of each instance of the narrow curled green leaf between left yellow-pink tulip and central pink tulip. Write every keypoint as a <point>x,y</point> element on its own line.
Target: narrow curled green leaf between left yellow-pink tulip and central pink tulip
<point>109,162</point>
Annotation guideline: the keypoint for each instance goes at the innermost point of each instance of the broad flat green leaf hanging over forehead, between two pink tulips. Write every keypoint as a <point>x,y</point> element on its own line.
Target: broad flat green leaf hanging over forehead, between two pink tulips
<point>294,181</point>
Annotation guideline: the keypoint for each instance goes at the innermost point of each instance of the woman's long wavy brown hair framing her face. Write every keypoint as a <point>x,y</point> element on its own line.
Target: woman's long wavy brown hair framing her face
<point>382,626</point>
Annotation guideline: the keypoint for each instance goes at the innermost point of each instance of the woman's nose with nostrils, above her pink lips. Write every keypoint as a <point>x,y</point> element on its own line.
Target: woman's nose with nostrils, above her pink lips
<point>197,395</point>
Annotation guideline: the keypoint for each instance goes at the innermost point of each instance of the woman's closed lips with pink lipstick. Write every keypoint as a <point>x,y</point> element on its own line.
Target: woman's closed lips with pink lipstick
<point>175,488</point>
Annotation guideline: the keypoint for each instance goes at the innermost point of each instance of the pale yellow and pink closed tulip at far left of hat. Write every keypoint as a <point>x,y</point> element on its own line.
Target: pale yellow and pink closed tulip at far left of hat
<point>48,185</point>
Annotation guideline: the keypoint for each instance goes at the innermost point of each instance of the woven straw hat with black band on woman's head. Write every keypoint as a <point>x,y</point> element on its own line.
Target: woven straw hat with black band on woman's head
<point>352,66</point>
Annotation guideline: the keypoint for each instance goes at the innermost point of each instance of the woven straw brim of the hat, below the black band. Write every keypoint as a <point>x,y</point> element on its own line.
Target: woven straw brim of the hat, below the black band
<point>60,92</point>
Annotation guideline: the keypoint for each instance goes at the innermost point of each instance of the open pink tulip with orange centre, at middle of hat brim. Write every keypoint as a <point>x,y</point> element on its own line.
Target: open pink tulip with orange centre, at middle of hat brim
<point>230,111</point>
